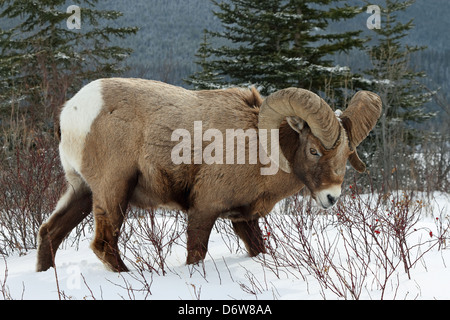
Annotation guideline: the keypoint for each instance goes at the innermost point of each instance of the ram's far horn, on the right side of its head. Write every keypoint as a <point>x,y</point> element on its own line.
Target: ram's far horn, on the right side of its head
<point>358,120</point>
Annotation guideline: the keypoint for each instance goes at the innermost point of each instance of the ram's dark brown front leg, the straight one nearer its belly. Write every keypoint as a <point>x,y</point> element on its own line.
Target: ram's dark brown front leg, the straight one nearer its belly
<point>198,231</point>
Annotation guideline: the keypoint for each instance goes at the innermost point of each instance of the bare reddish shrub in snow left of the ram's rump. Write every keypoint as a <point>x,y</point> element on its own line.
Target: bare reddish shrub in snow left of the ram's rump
<point>31,182</point>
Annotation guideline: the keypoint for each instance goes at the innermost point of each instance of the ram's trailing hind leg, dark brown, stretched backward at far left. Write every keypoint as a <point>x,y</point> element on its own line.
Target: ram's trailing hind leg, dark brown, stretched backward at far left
<point>72,208</point>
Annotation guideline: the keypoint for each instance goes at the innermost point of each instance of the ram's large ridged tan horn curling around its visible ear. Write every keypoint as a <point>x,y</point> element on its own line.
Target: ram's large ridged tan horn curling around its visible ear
<point>295,102</point>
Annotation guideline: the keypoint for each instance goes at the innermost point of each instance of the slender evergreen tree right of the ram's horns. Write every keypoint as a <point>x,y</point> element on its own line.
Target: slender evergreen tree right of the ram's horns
<point>399,86</point>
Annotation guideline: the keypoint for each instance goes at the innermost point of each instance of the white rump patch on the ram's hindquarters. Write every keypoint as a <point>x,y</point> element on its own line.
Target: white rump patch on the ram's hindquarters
<point>76,120</point>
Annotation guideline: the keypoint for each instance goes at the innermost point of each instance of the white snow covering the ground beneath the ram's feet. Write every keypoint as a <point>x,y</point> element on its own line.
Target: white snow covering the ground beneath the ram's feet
<point>228,273</point>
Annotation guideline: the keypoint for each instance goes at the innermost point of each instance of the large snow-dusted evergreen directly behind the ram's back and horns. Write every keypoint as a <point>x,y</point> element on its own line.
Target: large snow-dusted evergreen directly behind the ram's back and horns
<point>275,44</point>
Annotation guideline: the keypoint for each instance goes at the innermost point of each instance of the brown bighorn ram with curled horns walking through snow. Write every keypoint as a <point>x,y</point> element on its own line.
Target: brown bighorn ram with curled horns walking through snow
<point>117,141</point>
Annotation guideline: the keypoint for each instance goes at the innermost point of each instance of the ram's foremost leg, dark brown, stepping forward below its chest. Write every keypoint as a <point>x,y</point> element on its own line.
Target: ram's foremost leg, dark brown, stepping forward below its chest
<point>251,235</point>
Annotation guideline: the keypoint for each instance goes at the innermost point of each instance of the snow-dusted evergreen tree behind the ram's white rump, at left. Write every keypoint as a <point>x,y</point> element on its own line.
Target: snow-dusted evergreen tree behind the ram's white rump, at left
<point>43,61</point>
